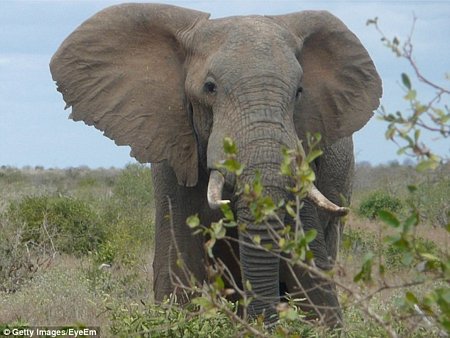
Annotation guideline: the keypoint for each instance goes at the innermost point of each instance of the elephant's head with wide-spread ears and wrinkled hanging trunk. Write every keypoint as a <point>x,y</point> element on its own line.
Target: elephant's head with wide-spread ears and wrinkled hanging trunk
<point>172,84</point>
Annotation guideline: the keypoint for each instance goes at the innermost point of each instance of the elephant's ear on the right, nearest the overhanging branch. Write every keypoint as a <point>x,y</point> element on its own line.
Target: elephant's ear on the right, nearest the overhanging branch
<point>341,87</point>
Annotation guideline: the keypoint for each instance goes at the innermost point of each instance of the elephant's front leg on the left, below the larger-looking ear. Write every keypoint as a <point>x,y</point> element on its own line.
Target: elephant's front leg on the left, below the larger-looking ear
<point>173,238</point>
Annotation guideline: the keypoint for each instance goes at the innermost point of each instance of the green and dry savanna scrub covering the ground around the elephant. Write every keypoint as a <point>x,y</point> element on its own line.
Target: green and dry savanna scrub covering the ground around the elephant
<point>76,249</point>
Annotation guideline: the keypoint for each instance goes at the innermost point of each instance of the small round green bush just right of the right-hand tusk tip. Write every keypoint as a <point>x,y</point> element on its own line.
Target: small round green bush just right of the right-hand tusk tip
<point>377,201</point>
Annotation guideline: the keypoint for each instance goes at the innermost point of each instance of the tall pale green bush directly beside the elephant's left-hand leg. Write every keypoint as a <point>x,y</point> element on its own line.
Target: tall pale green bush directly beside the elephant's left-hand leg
<point>128,211</point>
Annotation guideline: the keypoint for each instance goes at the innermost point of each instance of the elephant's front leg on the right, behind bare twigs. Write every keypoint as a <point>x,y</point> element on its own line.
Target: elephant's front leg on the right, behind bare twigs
<point>319,293</point>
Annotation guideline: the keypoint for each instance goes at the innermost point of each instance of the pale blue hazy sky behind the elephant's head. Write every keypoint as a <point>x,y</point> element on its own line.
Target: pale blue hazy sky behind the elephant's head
<point>34,129</point>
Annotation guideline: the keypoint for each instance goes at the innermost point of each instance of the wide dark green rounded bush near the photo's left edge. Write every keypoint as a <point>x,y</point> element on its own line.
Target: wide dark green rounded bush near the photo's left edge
<point>68,224</point>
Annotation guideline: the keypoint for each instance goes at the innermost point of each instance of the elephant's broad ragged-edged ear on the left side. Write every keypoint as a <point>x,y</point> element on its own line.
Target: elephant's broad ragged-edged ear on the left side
<point>122,71</point>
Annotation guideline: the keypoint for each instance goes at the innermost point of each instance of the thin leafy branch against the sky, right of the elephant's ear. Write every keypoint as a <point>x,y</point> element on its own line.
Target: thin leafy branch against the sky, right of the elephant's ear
<point>433,115</point>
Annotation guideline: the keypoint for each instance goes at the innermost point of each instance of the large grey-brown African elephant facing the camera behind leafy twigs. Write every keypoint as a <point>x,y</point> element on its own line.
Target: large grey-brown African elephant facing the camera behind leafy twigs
<point>172,83</point>
